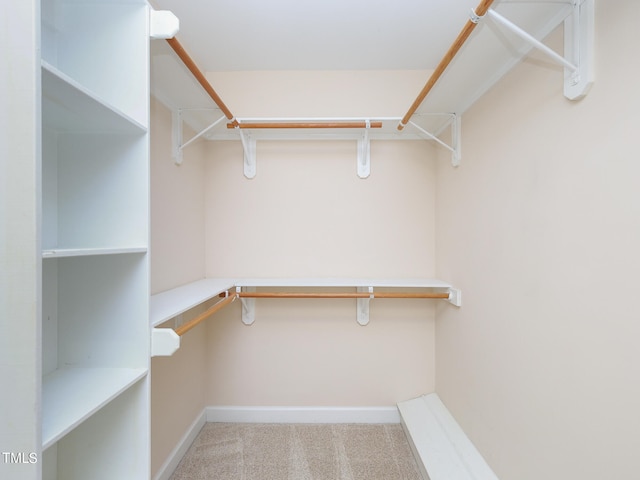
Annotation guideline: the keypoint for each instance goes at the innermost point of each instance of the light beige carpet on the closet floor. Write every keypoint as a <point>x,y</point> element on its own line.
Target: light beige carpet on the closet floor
<point>232,451</point>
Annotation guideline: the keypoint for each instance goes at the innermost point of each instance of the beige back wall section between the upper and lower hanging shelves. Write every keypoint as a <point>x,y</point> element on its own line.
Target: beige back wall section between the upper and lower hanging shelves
<point>308,214</point>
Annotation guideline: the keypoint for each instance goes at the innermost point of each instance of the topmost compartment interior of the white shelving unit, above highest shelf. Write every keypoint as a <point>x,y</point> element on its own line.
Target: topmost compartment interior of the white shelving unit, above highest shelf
<point>103,45</point>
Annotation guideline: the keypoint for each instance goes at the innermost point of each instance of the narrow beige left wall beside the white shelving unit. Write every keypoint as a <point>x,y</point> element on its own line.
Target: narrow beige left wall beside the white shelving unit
<point>177,257</point>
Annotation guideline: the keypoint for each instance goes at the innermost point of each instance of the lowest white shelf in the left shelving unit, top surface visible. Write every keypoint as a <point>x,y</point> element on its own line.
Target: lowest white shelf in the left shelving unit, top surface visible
<point>71,395</point>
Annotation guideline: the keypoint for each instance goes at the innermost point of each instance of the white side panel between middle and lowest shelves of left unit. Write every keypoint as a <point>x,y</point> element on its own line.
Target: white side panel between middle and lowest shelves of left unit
<point>103,311</point>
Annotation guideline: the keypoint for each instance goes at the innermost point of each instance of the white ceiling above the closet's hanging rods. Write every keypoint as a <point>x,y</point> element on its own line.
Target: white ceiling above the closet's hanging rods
<point>231,35</point>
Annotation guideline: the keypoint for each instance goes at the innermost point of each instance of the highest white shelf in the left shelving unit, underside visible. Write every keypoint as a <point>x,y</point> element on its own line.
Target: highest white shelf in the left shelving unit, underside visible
<point>68,106</point>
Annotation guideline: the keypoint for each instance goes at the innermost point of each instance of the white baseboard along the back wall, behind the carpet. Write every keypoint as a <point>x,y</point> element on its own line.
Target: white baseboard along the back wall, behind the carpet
<point>232,414</point>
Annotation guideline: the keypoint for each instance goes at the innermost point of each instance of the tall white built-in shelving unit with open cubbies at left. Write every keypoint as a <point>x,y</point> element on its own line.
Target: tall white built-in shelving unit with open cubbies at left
<point>95,229</point>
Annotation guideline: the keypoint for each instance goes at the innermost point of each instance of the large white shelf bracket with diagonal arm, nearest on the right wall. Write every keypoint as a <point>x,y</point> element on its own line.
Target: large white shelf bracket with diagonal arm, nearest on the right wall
<point>578,47</point>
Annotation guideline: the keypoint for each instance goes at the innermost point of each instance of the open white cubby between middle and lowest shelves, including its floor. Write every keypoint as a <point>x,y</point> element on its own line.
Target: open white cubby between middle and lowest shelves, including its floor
<point>95,339</point>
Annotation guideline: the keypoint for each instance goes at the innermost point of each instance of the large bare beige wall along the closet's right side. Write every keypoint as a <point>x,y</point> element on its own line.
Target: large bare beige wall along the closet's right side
<point>540,227</point>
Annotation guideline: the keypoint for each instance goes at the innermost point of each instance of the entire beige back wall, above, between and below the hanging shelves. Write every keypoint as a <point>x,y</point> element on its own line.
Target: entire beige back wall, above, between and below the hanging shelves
<point>307,214</point>
